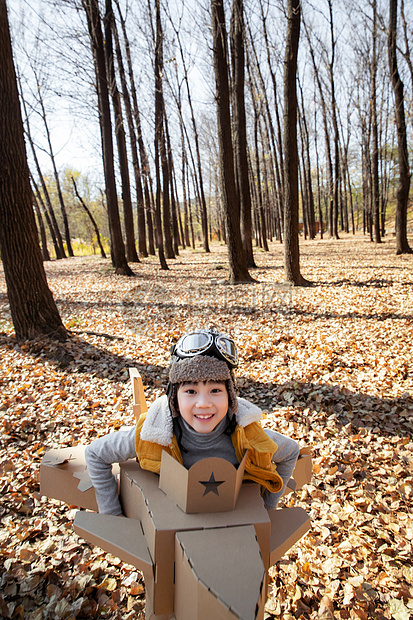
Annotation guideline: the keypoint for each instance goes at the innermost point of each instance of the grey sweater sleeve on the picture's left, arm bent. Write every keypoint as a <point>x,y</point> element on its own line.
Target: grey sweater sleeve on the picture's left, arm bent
<point>100,455</point>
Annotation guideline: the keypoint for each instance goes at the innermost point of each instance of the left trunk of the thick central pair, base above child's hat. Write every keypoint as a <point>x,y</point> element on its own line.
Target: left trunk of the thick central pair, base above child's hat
<point>237,261</point>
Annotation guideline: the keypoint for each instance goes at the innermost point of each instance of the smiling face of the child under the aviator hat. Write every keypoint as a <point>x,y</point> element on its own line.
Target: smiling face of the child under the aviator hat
<point>203,404</point>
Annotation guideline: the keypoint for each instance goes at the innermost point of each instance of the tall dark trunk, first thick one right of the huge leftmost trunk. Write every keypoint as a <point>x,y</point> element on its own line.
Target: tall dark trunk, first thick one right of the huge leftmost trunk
<point>96,39</point>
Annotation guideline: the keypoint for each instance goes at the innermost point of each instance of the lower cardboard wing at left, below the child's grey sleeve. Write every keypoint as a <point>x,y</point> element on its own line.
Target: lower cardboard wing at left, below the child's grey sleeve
<point>122,537</point>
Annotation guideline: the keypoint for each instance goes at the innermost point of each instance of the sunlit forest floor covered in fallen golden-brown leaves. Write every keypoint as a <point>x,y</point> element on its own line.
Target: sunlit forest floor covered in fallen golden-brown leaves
<point>330,365</point>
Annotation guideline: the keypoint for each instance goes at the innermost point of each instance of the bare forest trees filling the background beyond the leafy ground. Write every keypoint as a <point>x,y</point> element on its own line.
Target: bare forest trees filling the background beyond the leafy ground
<point>181,175</point>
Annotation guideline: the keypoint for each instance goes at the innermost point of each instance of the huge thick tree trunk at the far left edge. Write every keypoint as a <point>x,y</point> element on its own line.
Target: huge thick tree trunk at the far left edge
<point>33,310</point>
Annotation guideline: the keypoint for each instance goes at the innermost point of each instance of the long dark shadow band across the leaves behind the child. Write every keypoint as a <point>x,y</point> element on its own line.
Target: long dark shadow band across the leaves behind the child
<point>308,402</point>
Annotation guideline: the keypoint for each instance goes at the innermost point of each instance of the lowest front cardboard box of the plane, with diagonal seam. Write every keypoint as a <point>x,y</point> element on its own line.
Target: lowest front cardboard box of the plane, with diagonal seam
<point>219,573</point>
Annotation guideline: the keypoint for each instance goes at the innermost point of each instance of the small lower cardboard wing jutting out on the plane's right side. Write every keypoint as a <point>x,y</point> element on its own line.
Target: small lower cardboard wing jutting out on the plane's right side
<point>287,527</point>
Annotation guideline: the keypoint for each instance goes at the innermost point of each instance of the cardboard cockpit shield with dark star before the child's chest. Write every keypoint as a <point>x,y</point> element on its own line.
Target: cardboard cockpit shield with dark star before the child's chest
<point>210,485</point>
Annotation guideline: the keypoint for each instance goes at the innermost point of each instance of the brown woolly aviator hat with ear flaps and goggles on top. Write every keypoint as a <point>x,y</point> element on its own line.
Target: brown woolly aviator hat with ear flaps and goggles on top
<point>211,358</point>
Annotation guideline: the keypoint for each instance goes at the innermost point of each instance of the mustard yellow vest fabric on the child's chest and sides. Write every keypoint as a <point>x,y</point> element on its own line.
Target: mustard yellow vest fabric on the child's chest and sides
<point>258,467</point>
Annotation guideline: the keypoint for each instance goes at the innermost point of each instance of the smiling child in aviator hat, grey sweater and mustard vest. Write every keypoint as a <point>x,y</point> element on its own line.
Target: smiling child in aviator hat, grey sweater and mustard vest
<point>200,416</point>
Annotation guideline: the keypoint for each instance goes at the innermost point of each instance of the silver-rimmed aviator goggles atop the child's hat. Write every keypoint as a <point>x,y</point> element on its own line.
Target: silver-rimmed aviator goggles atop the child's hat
<point>207,343</point>
